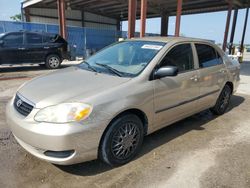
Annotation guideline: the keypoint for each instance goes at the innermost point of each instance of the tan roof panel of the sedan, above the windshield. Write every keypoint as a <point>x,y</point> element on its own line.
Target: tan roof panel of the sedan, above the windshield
<point>171,39</point>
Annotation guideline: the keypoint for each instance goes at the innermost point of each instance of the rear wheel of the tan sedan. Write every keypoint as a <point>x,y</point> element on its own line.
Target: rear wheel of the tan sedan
<point>223,101</point>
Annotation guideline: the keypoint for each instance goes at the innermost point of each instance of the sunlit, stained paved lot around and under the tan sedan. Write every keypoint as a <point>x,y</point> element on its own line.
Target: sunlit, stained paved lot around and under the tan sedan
<point>200,151</point>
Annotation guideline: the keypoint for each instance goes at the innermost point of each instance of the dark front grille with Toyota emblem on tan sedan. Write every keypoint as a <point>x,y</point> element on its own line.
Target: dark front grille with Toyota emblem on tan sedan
<point>22,107</point>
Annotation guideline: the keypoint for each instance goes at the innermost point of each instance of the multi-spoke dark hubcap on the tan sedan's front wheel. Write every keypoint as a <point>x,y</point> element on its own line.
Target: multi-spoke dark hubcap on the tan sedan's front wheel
<point>125,141</point>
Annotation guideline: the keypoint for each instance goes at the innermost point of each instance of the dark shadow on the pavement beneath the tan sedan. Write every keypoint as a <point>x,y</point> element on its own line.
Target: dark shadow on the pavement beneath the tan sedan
<point>152,141</point>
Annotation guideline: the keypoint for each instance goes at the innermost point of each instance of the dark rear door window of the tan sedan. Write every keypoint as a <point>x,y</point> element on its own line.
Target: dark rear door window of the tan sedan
<point>207,56</point>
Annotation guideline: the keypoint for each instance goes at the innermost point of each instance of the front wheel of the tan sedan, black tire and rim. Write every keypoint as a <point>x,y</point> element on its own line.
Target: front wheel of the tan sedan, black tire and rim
<point>122,140</point>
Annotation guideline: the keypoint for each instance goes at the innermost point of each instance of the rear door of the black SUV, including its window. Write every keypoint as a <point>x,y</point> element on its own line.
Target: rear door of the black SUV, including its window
<point>34,47</point>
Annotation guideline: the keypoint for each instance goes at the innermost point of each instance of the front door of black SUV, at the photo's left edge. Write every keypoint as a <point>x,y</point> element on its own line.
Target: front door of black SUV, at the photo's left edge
<point>12,50</point>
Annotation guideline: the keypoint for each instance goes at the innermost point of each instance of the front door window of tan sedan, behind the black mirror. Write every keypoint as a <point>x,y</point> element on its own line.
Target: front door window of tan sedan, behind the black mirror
<point>180,56</point>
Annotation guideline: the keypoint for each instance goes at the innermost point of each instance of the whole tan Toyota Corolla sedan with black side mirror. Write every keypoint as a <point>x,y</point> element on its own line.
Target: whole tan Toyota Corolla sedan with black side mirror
<point>104,107</point>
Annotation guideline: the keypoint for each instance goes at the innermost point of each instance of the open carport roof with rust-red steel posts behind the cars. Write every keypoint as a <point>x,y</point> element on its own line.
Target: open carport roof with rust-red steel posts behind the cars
<point>123,10</point>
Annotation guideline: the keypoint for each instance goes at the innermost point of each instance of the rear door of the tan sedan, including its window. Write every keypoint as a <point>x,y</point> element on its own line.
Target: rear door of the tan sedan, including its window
<point>212,73</point>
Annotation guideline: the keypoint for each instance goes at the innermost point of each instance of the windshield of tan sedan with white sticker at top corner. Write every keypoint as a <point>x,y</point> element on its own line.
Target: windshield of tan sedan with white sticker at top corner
<point>124,59</point>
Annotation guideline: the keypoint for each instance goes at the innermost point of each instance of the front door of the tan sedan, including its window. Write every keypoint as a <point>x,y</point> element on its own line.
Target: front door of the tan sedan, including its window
<point>176,97</point>
